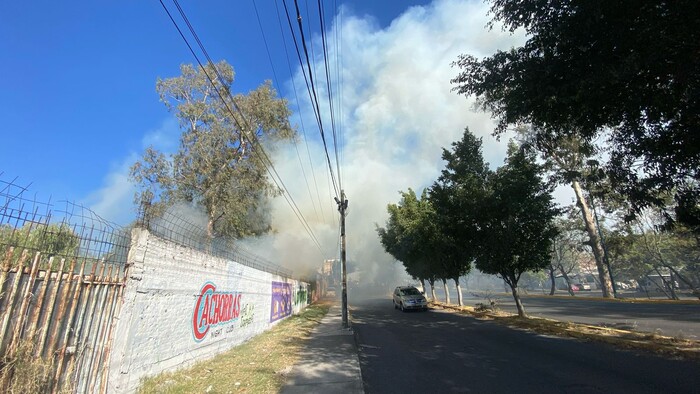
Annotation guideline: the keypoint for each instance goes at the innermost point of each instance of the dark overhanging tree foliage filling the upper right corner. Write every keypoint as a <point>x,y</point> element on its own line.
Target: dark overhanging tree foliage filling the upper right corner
<point>587,66</point>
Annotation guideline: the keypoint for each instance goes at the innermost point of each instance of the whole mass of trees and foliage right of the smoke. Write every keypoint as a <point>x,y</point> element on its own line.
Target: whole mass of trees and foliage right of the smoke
<point>616,122</point>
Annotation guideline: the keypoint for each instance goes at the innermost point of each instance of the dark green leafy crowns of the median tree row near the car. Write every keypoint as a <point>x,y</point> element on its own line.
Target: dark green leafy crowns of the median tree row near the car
<point>503,221</point>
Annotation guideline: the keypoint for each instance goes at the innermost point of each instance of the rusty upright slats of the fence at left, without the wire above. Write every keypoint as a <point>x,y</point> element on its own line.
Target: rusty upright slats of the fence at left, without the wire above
<point>56,321</point>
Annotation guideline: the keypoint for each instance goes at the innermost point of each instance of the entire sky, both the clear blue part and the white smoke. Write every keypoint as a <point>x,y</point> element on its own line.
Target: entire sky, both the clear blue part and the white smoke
<point>78,102</point>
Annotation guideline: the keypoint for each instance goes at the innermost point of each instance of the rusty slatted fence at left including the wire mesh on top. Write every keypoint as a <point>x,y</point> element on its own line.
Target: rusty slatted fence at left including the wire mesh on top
<point>61,278</point>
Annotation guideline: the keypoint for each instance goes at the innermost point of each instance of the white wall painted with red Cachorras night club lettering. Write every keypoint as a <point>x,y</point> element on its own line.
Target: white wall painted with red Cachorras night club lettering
<point>155,329</point>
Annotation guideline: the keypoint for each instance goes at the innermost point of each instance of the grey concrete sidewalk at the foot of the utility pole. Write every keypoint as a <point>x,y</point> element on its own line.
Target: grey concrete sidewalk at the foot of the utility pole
<point>330,362</point>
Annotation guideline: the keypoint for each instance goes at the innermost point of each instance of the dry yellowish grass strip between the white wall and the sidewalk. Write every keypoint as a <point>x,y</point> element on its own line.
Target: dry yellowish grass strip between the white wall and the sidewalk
<point>257,366</point>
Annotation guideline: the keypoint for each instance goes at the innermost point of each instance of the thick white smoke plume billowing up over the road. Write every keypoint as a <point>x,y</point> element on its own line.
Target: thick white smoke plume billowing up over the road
<point>397,113</point>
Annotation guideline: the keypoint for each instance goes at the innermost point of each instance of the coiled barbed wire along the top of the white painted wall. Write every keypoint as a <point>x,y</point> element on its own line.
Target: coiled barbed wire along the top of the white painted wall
<point>185,228</point>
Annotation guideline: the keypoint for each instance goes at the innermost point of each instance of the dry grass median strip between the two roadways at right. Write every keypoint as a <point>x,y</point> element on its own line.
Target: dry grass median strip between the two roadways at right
<point>675,347</point>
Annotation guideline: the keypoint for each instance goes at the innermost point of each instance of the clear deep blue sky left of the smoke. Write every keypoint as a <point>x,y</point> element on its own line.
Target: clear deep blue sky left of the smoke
<point>77,80</point>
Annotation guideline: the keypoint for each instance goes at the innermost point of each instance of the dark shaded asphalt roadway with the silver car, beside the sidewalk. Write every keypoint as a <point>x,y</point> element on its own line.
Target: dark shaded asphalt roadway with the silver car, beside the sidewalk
<point>440,352</point>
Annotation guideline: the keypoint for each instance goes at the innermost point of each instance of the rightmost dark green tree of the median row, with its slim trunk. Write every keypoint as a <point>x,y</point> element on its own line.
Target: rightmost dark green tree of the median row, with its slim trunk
<point>517,225</point>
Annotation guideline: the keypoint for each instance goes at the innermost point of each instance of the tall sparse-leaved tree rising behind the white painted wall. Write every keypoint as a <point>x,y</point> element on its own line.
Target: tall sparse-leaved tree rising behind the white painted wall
<point>220,164</point>
